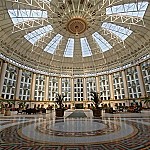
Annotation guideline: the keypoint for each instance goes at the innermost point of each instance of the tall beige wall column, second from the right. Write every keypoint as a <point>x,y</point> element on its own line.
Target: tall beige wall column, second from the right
<point>125,84</point>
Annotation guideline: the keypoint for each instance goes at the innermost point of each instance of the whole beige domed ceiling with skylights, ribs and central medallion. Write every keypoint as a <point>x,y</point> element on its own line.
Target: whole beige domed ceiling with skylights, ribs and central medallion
<point>74,36</point>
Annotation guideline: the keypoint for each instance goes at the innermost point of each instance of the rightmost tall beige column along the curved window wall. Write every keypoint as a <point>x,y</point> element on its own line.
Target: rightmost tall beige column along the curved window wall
<point>141,82</point>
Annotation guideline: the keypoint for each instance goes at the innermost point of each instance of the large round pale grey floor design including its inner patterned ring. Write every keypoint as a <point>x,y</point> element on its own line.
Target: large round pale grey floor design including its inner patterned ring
<point>109,131</point>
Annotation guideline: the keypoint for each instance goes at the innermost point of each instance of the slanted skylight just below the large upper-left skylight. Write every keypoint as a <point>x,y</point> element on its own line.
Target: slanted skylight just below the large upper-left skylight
<point>37,34</point>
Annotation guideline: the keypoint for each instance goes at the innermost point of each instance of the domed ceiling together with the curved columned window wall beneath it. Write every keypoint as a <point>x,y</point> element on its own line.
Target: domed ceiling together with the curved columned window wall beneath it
<point>72,46</point>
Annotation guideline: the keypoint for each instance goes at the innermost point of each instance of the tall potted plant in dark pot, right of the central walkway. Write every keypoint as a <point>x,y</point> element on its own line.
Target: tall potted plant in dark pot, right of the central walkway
<point>97,112</point>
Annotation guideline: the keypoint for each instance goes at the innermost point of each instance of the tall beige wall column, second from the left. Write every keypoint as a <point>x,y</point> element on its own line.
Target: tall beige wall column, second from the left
<point>18,84</point>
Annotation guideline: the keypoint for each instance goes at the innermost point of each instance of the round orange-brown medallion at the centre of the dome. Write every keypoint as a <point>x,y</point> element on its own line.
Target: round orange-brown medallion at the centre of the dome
<point>76,26</point>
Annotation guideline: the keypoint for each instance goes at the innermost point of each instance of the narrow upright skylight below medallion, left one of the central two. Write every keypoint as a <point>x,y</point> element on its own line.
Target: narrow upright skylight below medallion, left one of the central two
<point>69,48</point>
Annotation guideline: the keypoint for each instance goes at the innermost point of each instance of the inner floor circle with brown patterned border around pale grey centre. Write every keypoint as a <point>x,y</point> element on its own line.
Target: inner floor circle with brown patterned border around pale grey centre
<point>77,127</point>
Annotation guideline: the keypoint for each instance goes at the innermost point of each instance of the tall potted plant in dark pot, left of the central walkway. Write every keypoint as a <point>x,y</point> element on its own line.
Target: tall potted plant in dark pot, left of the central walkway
<point>60,109</point>
